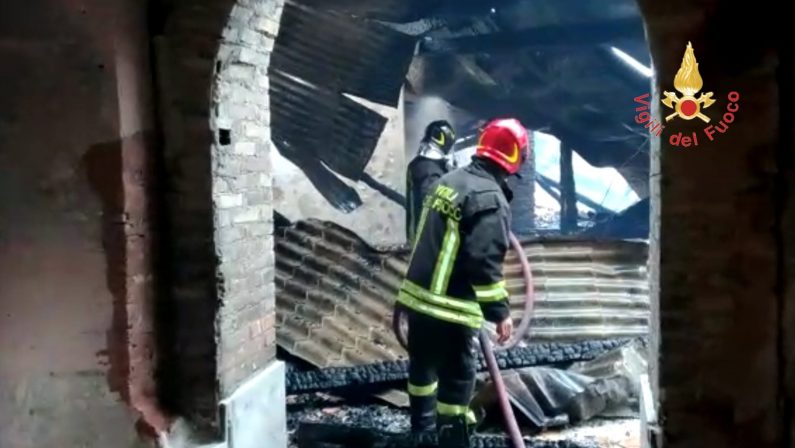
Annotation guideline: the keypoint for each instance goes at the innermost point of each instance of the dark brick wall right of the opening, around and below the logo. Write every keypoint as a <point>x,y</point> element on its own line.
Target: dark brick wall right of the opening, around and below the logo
<point>719,292</point>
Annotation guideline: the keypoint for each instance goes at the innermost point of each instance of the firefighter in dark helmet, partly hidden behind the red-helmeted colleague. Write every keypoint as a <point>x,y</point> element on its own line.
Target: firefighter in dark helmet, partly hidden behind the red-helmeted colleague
<point>431,162</point>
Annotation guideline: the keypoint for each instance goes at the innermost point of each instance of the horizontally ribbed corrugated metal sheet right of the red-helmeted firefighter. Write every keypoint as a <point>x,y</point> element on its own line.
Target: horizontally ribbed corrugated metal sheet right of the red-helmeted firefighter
<point>584,289</point>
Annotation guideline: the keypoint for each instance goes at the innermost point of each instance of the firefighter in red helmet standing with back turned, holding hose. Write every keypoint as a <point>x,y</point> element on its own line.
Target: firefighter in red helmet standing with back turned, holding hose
<point>455,281</point>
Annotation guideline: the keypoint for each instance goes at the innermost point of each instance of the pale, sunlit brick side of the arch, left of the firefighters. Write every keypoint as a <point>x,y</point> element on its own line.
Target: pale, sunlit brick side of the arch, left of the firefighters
<point>243,194</point>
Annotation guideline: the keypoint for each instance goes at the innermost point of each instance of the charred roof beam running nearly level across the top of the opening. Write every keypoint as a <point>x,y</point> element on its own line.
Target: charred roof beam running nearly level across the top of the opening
<point>583,34</point>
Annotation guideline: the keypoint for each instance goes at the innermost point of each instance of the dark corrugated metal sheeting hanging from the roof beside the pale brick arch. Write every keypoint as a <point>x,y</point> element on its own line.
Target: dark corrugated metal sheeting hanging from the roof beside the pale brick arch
<point>318,57</point>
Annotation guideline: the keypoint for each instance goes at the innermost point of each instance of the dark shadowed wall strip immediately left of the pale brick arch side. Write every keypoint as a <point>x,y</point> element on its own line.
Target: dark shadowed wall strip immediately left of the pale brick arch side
<point>185,58</point>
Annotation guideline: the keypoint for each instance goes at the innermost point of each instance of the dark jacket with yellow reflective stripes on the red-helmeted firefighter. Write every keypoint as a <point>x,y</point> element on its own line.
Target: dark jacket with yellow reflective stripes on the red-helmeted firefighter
<point>455,272</point>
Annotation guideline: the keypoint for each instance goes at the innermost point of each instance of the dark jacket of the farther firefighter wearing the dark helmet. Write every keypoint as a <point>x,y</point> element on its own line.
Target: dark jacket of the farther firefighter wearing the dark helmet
<point>422,173</point>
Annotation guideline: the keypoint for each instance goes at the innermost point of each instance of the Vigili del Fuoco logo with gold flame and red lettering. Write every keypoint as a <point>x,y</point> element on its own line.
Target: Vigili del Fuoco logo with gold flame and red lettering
<point>688,83</point>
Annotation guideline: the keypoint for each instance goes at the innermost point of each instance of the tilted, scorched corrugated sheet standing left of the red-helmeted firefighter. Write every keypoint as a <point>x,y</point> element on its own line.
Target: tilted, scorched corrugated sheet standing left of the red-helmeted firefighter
<point>333,296</point>
